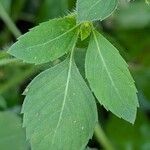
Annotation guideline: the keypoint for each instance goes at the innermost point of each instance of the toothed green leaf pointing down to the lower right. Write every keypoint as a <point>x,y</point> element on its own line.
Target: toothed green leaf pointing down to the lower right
<point>110,78</point>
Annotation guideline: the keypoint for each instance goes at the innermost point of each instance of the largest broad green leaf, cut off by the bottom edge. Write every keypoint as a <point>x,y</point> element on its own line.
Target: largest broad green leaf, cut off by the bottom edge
<point>59,109</point>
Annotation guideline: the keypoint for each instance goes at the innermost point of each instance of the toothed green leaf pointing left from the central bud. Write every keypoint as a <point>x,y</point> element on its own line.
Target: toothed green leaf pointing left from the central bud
<point>46,42</point>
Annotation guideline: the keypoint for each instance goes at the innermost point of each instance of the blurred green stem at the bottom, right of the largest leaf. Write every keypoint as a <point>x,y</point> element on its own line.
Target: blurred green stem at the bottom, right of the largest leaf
<point>102,139</point>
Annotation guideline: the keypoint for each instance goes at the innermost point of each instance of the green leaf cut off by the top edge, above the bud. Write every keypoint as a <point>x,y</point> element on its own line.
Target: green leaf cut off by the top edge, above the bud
<point>91,10</point>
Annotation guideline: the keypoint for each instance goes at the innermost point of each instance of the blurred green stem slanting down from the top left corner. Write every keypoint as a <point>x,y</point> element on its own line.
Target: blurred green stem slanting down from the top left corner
<point>5,17</point>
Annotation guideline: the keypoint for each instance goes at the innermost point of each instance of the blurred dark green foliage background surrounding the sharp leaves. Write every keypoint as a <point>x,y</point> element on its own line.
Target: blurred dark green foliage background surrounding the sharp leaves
<point>128,29</point>
